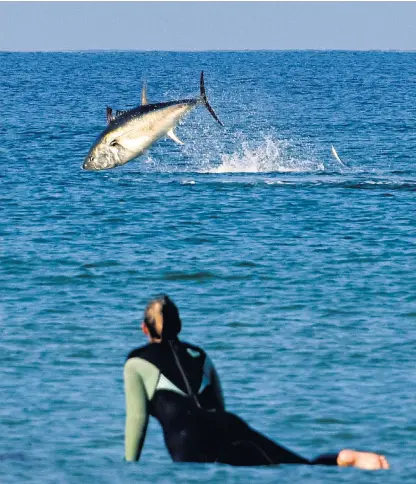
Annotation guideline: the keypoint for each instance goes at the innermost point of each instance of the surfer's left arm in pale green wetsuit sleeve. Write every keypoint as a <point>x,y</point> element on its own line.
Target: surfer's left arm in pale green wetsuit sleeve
<point>137,415</point>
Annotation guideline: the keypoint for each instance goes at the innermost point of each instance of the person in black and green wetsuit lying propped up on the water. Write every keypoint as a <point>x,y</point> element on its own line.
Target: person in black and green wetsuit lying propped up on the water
<point>177,383</point>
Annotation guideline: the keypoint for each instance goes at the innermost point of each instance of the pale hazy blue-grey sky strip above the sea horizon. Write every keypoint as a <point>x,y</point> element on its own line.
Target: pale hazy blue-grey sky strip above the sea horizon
<point>207,25</point>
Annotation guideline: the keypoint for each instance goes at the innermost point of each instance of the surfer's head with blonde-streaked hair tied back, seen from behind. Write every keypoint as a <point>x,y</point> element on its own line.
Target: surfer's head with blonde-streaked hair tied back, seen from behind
<point>161,319</point>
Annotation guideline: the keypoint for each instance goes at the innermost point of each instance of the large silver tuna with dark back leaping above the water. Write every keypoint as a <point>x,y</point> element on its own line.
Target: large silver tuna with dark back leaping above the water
<point>129,133</point>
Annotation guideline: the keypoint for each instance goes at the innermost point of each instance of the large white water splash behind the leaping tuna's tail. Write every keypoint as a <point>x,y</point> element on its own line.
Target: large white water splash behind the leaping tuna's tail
<point>271,156</point>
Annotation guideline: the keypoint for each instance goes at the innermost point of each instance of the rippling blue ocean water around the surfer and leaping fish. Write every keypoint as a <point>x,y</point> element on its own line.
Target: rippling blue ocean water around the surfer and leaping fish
<point>296,273</point>
